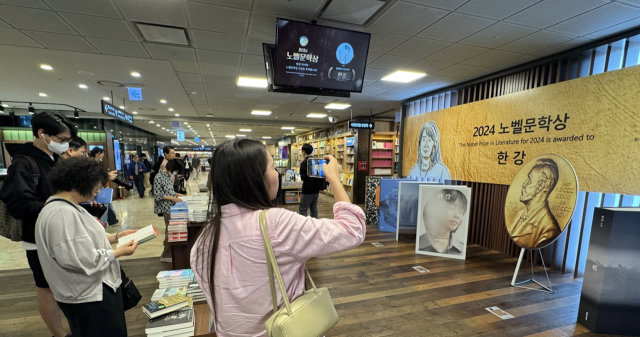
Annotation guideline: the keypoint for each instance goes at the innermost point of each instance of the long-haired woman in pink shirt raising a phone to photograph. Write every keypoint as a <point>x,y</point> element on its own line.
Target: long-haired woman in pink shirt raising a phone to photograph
<point>230,250</point>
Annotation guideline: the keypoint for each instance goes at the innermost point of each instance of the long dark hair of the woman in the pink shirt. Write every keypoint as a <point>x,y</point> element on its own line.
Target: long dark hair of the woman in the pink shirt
<point>237,177</point>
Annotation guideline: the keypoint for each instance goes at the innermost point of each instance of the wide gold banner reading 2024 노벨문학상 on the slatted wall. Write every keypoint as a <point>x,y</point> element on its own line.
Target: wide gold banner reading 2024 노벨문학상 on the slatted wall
<point>592,122</point>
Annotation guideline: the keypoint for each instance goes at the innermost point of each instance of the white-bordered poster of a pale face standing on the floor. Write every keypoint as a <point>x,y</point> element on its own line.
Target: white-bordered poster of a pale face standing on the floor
<point>443,221</point>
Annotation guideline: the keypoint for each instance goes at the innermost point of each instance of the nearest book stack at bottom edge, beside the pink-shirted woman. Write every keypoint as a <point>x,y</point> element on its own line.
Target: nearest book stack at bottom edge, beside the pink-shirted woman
<point>176,324</point>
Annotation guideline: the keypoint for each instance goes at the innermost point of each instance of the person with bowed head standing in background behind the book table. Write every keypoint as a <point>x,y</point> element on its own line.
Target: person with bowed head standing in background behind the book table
<point>164,197</point>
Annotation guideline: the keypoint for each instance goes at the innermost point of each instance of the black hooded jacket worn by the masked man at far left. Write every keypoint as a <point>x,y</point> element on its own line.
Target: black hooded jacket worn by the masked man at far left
<point>23,198</point>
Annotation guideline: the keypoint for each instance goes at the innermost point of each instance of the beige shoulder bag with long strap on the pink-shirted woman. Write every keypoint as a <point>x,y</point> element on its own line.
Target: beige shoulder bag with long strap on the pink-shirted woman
<point>310,315</point>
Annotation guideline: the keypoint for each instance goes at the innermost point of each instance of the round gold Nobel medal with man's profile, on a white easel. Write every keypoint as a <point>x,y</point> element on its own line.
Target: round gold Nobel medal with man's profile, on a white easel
<point>541,201</point>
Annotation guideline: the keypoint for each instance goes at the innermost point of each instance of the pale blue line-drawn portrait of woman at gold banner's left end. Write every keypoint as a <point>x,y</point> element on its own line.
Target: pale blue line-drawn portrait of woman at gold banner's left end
<point>429,163</point>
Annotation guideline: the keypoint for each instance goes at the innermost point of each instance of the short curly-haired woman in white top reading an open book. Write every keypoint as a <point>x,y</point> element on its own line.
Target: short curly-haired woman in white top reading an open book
<point>75,252</point>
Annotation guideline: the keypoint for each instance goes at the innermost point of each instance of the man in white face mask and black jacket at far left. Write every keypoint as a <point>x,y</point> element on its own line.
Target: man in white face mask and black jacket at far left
<point>25,198</point>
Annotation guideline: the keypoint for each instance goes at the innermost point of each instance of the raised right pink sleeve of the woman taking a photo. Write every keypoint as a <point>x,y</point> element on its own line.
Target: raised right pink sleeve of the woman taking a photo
<point>304,237</point>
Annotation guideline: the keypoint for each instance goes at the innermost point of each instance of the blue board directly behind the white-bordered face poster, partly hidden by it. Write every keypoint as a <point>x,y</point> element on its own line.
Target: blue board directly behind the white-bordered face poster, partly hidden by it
<point>408,195</point>
